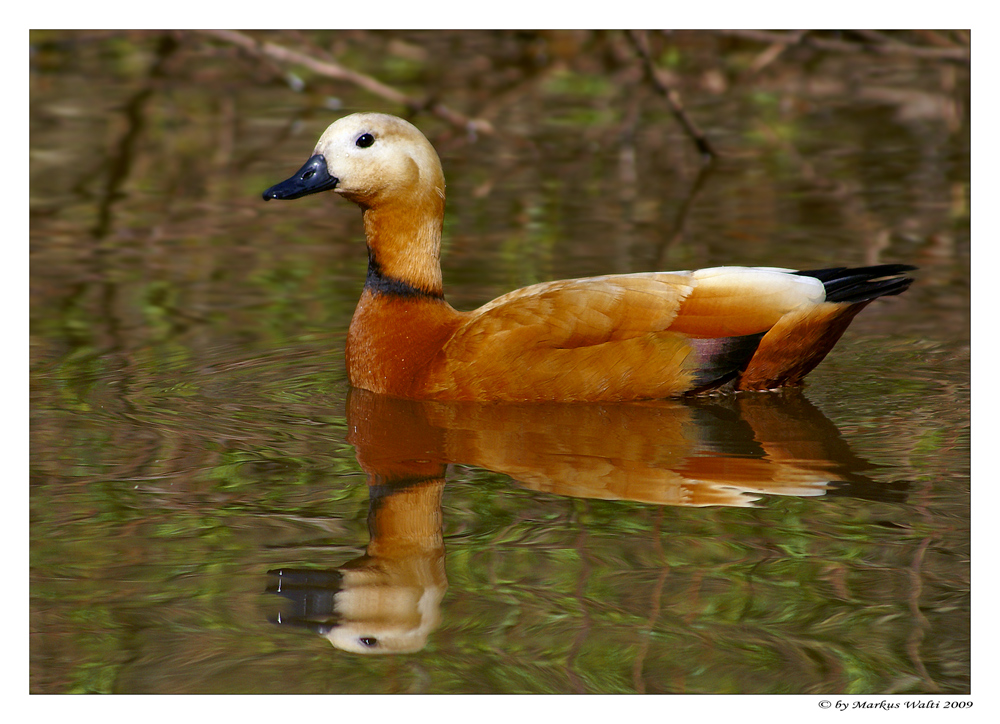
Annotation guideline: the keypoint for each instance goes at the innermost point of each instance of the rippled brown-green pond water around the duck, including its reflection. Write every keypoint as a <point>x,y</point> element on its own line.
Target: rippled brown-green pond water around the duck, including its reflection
<point>193,434</point>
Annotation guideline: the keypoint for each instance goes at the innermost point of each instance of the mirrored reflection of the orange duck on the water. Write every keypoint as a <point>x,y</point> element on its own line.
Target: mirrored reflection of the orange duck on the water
<point>708,451</point>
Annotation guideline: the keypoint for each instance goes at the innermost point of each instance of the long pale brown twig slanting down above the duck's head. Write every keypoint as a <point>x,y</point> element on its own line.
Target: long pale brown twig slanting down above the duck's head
<point>329,69</point>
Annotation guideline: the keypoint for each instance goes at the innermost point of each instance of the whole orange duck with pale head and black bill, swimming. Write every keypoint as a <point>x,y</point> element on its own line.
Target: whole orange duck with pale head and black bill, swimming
<point>609,338</point>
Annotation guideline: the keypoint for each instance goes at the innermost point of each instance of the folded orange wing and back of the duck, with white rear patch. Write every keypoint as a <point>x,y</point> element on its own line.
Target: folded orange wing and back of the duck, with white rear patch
<point>626,337</point>
